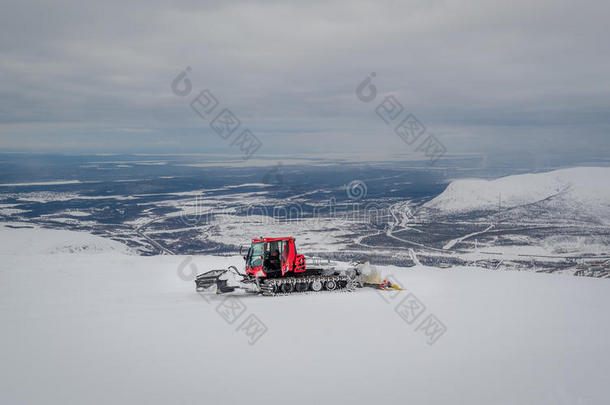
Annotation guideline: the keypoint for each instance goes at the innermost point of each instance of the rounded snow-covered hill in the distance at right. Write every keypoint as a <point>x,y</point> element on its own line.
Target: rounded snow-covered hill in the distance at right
<point>578,188</point>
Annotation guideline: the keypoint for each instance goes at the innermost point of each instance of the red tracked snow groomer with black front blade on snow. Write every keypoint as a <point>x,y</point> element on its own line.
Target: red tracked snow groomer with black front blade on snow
<point>274,267</point>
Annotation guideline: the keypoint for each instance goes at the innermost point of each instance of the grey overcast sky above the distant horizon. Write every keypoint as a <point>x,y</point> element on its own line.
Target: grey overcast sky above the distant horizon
<point>483,77</point>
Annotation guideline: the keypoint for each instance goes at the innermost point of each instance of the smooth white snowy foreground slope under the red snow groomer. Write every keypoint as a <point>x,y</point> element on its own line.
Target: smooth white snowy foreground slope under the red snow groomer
<point>101,325</point>
